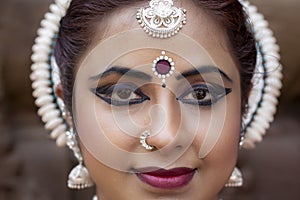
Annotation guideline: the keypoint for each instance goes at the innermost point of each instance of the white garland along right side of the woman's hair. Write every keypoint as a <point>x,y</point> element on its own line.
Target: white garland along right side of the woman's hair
<point>267,83</point>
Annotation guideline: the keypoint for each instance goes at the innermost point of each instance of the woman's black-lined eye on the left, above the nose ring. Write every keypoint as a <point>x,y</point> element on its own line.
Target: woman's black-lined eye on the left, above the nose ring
<point>120,94</point>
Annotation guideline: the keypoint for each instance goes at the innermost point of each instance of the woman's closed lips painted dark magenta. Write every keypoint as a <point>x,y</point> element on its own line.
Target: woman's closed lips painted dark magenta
<point>167,179</point>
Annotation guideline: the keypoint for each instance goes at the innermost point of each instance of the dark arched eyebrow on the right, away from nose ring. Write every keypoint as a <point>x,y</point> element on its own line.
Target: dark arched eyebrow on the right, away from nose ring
<point>203,70</point>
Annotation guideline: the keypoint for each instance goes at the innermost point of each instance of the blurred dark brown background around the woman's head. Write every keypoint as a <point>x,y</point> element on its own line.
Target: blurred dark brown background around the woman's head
<point>32,167</point>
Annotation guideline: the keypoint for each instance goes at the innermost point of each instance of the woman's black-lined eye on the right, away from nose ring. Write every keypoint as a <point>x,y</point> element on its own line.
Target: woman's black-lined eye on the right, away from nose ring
<point>204,94</point>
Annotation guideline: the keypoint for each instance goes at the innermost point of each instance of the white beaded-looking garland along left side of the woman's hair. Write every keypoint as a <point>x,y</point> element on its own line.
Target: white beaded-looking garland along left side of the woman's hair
<point>43,76</point>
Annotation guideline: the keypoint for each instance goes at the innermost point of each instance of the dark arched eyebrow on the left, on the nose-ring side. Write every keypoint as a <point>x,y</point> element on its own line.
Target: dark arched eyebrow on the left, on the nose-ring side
<point>122,71</point>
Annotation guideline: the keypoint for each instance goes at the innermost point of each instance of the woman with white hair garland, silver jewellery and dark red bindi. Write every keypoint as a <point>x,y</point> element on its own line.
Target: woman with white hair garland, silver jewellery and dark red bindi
<point>154,94</point>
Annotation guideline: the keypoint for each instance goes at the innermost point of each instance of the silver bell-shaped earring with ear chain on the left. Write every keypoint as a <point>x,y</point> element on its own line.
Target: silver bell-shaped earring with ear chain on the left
<point>79,177</point>
